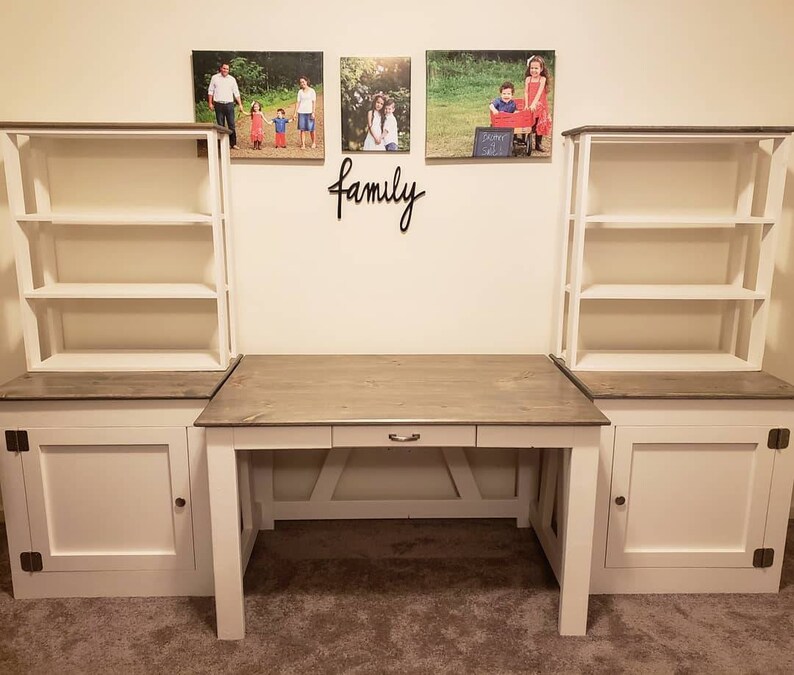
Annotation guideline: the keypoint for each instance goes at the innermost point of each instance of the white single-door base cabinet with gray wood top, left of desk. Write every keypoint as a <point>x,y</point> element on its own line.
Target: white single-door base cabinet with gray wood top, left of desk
<point>104,483</point>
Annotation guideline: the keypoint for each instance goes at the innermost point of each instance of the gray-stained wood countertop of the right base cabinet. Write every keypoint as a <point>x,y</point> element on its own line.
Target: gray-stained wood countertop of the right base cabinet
<point>679,385</point>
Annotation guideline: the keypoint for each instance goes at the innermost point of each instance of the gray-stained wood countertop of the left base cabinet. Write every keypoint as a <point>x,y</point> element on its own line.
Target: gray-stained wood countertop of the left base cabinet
<point>114,386</point>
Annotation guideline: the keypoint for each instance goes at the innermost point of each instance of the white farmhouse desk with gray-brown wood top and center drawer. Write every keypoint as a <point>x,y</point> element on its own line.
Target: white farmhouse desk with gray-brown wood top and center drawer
<point>294,402</point>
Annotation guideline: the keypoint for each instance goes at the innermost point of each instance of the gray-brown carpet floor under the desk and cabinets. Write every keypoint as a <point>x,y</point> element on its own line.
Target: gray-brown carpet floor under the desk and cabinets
<point>400,597</point>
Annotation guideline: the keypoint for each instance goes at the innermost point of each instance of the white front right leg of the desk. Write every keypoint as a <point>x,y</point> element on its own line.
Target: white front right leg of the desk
<point>577,529</point>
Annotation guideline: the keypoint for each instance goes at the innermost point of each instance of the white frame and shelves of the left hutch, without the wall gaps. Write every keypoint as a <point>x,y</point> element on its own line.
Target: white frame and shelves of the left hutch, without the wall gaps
<point>31,230</point>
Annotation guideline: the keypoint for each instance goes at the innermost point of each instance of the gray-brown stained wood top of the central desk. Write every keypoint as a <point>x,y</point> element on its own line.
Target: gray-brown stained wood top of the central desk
<point>415,389</point>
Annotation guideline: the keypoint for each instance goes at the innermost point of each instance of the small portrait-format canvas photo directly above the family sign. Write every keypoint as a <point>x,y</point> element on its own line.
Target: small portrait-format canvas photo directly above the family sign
<point>376,104</point>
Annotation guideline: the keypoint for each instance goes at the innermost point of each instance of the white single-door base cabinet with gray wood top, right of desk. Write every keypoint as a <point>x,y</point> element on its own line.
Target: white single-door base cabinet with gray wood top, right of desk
<point>695,479</point>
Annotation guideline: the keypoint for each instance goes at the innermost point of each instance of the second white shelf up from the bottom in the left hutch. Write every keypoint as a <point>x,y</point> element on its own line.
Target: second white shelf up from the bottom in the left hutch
<point>123,291</point>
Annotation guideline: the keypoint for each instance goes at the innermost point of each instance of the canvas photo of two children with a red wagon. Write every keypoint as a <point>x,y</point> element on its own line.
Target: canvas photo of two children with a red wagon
<point>489,104</point>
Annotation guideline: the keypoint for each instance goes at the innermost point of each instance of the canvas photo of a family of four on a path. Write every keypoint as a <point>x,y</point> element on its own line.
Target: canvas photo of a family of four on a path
<point>272,101</point>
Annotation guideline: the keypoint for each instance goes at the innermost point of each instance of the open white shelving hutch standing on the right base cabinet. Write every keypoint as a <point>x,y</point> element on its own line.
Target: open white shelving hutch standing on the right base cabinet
<point>670,246</point>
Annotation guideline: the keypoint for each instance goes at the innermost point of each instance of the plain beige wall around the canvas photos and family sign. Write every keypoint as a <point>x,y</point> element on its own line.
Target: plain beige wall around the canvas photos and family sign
<point>477,271</point>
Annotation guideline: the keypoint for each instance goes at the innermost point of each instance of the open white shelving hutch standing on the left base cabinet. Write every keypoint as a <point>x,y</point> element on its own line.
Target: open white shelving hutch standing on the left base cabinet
<point>121,242</point>
